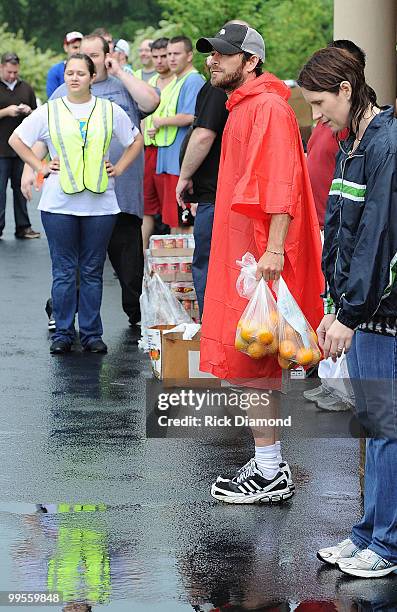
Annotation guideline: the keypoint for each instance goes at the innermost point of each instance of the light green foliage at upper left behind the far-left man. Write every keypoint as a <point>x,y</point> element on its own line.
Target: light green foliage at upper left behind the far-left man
<point>34,62</point>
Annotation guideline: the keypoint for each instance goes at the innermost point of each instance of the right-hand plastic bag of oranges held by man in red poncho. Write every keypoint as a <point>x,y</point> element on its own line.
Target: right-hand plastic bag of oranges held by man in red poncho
<point>297,339</point>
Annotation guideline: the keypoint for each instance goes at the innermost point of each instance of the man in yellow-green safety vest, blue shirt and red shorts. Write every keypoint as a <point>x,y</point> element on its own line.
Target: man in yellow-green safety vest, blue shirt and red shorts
<point>171,123</point>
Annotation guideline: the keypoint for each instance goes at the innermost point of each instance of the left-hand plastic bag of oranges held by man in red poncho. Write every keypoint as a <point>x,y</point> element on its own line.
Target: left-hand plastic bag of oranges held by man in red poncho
<point>257,329</point>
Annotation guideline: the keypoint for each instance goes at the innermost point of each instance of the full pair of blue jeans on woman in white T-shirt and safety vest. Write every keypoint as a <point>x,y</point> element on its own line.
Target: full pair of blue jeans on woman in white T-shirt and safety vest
<point>77,244</point>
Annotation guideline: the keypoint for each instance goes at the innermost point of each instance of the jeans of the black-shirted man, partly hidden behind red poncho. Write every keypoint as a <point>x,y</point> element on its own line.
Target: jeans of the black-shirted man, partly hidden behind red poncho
<point>202,237</point>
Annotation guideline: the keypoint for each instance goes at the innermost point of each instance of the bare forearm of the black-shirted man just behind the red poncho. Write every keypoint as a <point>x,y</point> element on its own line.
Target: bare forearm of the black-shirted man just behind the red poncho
<point>200,143</point>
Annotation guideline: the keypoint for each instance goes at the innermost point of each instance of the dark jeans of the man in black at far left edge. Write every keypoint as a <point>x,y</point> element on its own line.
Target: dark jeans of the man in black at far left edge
<point>11,169</point>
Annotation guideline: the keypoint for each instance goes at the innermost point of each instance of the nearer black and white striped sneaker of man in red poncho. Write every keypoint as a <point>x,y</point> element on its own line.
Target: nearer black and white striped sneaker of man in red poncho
<point>250,487</point>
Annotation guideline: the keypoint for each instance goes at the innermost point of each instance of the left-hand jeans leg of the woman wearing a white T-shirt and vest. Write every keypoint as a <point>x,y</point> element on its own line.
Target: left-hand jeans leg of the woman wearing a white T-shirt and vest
<point>62,233</point>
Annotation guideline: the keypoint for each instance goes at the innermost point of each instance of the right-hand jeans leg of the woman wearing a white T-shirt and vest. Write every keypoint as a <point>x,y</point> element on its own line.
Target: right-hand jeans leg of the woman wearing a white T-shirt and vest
<point>94,236</point>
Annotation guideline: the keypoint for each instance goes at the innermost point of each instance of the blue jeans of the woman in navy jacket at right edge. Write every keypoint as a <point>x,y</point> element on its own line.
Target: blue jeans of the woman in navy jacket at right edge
<point>372,363</point>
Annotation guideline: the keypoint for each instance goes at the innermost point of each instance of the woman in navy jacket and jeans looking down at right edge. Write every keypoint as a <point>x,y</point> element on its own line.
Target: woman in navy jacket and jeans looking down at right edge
<point>359,262</point>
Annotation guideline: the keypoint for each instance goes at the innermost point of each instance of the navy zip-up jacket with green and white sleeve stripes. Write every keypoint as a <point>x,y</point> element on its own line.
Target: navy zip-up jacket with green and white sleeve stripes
<point>360,241</point>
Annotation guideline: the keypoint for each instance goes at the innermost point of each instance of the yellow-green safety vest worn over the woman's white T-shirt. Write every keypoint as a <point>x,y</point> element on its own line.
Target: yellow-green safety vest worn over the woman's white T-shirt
<point>82,161</point>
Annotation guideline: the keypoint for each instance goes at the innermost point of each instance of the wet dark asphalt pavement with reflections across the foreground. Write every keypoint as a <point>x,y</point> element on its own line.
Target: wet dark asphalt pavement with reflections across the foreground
<point>92,508</point>
